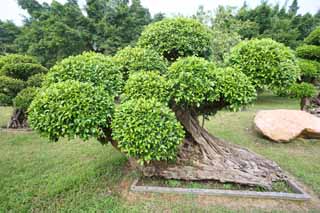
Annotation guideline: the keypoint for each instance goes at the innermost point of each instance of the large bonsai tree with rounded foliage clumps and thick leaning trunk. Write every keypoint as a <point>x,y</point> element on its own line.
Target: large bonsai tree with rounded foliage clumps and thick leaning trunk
<point>156,122</point>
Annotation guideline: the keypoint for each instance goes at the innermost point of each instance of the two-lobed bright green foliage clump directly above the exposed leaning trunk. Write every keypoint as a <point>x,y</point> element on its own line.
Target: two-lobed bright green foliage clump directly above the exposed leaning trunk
<point>196,82</point>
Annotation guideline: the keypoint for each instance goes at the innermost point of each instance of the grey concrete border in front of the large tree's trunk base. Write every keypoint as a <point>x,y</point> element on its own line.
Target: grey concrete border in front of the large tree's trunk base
<point>298,195</point>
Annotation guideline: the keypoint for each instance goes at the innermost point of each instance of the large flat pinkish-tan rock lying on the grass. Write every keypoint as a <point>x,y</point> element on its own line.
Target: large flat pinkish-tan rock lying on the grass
<point>285,125</point>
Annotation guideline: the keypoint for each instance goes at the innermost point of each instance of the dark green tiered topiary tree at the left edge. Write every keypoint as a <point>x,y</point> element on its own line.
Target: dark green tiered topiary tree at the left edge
<point>16,73</point>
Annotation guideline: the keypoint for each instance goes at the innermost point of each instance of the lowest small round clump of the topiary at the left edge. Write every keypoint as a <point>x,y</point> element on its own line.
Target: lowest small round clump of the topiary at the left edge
<point>24,98</point>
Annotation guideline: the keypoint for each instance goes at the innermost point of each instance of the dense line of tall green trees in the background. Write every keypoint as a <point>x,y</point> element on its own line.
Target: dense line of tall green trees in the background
<point>54,31</point>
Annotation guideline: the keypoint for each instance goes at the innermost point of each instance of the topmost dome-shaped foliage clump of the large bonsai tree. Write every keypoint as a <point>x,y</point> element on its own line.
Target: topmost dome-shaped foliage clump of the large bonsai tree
<point>178,37</point>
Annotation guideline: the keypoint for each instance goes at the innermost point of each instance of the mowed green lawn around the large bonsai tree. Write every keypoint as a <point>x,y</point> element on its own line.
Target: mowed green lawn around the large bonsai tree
<point>73,176</point>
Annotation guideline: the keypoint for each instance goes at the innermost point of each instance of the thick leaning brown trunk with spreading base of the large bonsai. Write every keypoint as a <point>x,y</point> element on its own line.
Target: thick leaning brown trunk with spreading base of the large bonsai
<point>205,157</point>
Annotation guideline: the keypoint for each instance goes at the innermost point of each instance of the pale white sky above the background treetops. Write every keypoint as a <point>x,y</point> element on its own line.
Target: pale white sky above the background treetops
<point>9,10</point>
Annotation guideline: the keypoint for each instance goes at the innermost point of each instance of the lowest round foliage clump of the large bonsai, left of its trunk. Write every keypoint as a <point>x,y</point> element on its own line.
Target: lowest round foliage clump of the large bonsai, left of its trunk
<point>154,134</point>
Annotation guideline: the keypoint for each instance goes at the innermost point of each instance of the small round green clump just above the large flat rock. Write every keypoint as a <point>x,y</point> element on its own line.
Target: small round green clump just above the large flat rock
<point>302,90</point>
